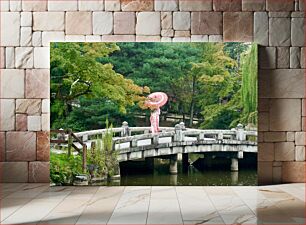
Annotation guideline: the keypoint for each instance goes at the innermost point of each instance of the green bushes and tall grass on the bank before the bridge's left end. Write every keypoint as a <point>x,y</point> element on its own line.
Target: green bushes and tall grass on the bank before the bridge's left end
<point>101,161</point>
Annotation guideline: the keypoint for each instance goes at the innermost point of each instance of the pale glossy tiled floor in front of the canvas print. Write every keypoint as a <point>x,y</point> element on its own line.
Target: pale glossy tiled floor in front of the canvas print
<point>41,204</point>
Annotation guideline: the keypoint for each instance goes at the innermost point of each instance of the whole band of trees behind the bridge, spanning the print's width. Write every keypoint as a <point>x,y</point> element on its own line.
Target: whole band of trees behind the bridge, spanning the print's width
<point>214,83</point>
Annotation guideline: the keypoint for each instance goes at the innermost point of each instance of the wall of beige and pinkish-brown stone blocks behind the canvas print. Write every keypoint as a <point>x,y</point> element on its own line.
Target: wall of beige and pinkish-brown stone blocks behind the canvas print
<point>28,26</point>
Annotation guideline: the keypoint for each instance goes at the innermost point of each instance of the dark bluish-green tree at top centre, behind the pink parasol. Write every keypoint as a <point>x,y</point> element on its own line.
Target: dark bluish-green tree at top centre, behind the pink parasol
<point>159,66</point>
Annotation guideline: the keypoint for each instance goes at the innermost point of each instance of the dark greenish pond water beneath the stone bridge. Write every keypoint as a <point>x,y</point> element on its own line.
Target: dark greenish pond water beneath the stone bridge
<point>192,177</point>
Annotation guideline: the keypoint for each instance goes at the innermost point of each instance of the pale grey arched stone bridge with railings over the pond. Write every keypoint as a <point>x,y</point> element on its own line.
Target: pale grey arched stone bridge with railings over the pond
<point>134,143</point>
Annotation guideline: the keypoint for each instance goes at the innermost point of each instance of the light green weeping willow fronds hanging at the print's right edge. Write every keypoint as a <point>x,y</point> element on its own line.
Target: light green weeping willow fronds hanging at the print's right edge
<point>249,90</point>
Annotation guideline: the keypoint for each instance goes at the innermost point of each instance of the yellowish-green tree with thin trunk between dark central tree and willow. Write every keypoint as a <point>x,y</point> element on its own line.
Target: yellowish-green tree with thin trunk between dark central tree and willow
<point>208,82</point>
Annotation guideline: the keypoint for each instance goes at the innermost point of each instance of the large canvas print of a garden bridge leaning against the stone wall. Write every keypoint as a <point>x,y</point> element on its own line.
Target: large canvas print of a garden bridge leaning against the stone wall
<point>153,114</point>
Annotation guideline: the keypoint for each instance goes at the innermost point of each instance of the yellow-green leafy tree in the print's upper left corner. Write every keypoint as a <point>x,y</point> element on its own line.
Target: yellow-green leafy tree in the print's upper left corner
<point>76,73</point>
